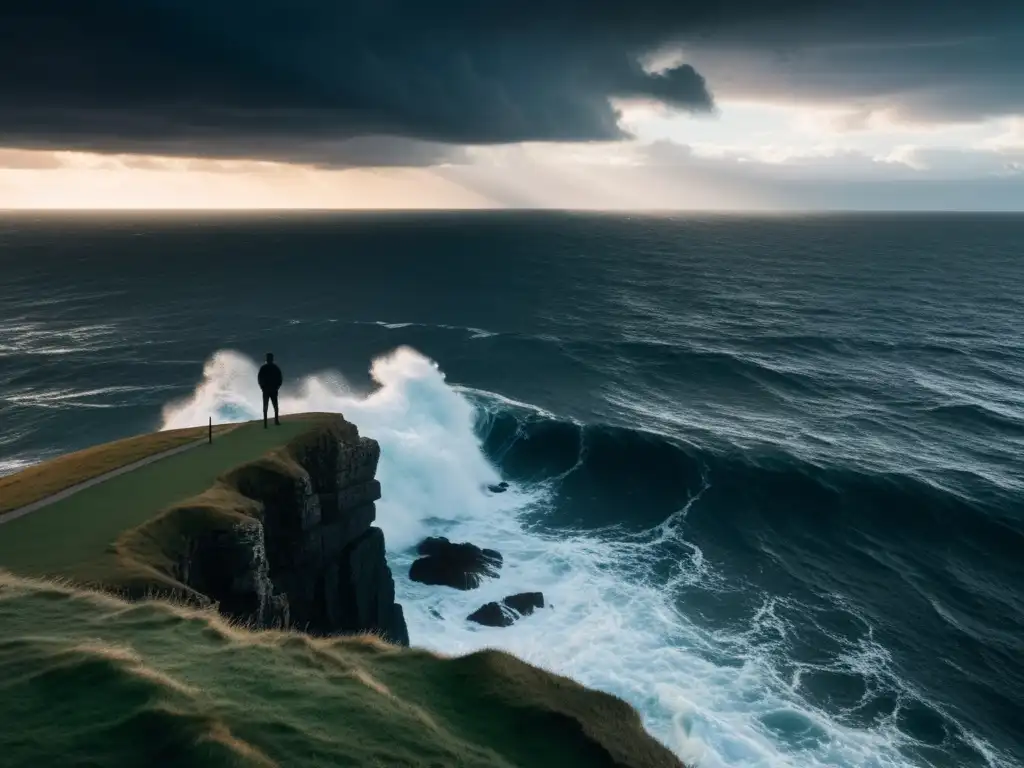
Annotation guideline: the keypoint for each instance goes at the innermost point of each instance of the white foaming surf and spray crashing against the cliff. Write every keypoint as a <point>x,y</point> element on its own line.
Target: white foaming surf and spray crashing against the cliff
<point>716,699</point>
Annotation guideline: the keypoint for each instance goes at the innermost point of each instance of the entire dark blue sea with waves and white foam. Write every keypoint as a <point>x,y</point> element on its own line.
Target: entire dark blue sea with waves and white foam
<point>769,472</point>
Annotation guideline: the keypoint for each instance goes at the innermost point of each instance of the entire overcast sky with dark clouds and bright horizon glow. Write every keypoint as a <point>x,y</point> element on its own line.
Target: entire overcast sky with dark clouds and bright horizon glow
<point>781,105</point>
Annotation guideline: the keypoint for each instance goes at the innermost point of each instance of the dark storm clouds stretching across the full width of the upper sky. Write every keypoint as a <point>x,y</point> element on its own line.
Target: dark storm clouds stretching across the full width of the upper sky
<point>297,79</point>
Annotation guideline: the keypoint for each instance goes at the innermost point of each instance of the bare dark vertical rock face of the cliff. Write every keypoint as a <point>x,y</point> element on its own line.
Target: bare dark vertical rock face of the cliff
<point>311,559</point>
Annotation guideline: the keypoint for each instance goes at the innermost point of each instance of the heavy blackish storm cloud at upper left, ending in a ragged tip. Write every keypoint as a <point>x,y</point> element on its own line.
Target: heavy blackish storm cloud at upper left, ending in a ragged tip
<point>292,79</point>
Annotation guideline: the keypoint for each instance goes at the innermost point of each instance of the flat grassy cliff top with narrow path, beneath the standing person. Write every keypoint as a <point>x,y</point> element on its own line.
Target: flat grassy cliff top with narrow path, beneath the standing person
<point>78,537</point>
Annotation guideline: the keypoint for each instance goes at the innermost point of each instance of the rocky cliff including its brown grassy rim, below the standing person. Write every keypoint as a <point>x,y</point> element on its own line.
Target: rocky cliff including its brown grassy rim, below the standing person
<point>285,541</point>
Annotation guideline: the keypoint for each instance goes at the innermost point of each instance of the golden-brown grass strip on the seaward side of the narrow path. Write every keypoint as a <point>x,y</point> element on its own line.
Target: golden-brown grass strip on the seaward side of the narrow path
<point>52,478</point>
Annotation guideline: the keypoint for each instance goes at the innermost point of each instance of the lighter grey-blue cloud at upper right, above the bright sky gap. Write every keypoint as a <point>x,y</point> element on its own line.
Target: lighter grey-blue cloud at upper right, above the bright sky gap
<point>959,76</point>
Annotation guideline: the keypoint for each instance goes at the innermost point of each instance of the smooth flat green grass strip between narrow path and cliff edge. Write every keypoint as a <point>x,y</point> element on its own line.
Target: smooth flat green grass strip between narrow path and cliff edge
<point>74,538</point>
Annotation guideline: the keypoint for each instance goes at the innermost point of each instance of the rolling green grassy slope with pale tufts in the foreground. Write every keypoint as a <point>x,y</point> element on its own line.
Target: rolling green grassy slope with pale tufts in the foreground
<point>87,679</point>
